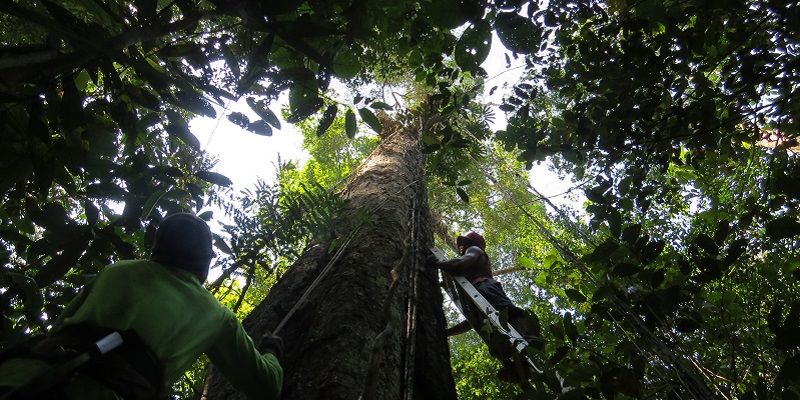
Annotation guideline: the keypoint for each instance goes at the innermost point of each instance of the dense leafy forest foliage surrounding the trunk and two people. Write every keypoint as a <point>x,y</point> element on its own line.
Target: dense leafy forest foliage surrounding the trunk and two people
<point>678,118</point>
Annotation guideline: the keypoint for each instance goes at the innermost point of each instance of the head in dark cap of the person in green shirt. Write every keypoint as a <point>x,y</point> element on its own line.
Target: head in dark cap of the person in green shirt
<point>183,240</point>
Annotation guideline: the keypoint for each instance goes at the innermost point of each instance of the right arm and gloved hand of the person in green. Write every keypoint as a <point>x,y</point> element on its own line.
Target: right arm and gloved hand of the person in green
<point>258,376</point>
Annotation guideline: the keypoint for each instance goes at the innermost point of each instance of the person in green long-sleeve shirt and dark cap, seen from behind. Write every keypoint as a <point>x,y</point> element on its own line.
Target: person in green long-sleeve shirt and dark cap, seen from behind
<point>168,318</point>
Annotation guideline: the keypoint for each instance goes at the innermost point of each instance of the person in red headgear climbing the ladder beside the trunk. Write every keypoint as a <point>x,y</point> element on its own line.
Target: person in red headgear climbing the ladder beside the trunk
<point>474,265</point>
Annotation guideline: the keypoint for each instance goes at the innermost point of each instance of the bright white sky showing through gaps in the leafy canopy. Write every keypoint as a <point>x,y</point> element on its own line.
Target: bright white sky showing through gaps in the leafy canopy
<point>244,156</point>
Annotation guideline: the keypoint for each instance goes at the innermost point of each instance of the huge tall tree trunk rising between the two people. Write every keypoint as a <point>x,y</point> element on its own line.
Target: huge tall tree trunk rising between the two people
<point>356,335</point>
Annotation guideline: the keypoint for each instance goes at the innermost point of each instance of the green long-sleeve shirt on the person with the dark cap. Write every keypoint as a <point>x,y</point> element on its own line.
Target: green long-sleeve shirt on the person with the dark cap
<point>178,319</point>
